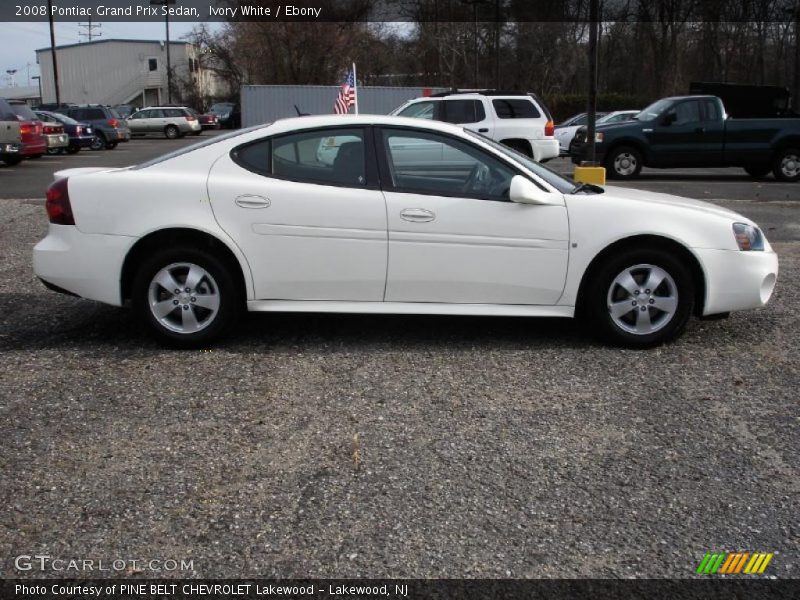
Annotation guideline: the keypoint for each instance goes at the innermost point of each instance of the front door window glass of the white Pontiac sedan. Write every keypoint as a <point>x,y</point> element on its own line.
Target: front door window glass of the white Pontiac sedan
<point>428,163</point>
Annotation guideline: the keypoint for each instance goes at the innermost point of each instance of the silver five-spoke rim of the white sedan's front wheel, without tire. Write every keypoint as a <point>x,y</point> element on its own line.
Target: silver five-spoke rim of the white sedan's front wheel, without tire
<point>642,299</point>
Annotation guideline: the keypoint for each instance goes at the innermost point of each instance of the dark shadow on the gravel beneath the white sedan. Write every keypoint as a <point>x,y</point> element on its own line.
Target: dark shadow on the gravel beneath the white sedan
<point>34,321</point>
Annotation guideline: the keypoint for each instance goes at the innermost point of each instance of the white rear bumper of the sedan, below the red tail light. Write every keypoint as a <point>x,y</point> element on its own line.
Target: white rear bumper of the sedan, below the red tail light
<point>84,264</point>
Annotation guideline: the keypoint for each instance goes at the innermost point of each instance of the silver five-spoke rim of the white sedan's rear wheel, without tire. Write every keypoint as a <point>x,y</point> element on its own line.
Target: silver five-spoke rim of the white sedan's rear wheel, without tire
<point>184,297</point>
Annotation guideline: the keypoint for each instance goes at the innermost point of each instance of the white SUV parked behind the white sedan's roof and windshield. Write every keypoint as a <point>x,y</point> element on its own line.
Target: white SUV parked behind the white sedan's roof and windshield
<point>520,121</point>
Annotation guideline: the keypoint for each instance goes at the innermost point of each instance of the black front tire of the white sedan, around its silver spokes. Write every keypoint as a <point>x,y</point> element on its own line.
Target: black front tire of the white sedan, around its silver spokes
<point>602,292</point>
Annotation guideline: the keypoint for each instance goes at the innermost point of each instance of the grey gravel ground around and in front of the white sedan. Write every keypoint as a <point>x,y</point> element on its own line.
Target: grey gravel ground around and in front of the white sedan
<point>316,446</point>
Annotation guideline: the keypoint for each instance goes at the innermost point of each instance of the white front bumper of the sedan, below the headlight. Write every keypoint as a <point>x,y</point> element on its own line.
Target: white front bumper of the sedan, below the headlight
<point>737,280</point>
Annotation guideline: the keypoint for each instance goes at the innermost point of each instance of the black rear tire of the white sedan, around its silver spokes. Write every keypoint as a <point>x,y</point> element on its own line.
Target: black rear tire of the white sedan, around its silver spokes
<point>218,282</point>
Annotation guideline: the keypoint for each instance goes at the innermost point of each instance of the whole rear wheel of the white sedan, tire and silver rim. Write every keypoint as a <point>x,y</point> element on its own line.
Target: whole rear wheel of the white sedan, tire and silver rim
<point>188,297</point>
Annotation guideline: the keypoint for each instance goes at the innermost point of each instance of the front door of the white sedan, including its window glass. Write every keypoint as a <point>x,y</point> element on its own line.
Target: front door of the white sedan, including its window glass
<point>454,236</point>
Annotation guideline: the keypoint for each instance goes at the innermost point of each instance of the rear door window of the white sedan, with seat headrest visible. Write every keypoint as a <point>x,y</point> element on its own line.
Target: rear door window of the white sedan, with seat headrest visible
<point>333,156</point>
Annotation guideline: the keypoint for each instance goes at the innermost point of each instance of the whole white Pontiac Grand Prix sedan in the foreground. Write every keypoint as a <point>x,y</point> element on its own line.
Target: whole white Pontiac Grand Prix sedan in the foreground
<point>374,214</point>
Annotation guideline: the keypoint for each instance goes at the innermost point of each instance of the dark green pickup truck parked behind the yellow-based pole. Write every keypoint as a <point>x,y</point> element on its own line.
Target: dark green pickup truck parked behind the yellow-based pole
<point>695,131</point>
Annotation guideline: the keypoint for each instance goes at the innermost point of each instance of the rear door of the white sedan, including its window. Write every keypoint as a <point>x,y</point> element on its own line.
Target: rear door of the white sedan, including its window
<point>310,220</point>
